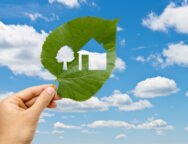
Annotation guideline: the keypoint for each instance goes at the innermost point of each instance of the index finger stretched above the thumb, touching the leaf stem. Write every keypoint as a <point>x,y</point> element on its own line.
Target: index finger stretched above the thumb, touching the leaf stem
<point>31,92</point>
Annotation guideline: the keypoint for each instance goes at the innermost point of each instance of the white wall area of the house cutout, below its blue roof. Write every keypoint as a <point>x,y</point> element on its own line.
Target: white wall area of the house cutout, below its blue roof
<point>97,61</point>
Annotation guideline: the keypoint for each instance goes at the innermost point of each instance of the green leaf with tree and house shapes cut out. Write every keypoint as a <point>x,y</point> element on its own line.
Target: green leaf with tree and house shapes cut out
<point>78,84</point>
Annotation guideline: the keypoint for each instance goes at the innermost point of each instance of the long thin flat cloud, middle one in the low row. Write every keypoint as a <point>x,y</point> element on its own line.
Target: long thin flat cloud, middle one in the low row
<point>110,123</point>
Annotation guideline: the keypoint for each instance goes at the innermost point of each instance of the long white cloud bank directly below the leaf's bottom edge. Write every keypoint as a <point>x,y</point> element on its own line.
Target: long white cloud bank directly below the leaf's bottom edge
<point>122,101</point>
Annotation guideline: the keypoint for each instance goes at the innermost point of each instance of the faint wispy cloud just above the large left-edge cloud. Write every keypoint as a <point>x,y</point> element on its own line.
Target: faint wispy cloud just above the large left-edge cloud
<point>36,15</point>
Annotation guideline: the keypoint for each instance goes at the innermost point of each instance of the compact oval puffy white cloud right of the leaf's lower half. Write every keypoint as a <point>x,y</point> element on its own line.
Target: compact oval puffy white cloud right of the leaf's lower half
<point>154,87</point>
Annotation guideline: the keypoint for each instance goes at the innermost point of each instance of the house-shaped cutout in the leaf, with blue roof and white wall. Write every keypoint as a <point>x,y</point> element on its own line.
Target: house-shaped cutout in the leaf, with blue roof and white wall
<point>96,60</point>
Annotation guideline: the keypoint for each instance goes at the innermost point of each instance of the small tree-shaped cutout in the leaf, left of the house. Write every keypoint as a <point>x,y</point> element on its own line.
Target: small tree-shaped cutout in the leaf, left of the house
<point>65,54</point>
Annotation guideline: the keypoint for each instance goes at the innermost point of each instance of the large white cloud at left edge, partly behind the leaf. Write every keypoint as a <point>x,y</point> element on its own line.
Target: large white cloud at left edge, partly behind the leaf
<point>21,54</point>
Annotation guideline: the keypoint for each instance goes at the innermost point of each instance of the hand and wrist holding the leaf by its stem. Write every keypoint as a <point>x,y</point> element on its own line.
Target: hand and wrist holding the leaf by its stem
<point>19,113</point>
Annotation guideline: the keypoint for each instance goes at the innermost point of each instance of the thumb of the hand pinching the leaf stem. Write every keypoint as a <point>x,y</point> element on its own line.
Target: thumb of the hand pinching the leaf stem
<point>43,100</point>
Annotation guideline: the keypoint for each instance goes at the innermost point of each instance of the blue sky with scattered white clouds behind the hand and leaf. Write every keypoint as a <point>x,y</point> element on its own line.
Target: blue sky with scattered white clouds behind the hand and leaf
<point>144,101</point>
